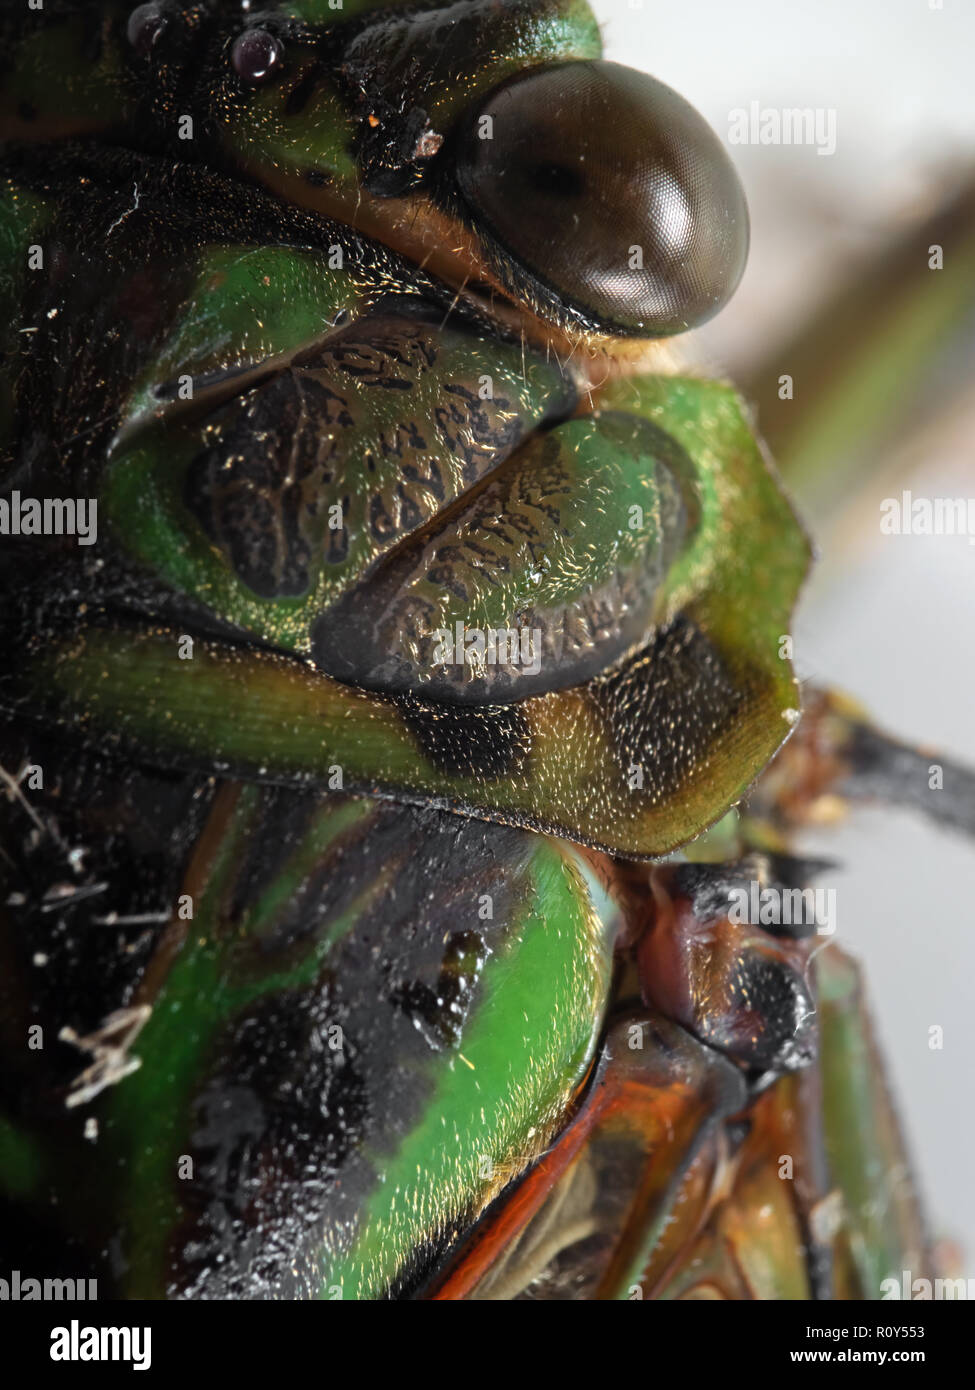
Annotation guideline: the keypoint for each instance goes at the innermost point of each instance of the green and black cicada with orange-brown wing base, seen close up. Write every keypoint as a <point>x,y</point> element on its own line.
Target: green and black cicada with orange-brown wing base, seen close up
<point>401,749</point>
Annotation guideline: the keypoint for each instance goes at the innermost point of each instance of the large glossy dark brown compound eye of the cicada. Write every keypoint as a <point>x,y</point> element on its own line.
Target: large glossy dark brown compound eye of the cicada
<point>613,193</point>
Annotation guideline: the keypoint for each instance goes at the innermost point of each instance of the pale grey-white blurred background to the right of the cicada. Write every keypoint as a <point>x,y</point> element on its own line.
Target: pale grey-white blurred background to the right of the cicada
<point>888,619</point>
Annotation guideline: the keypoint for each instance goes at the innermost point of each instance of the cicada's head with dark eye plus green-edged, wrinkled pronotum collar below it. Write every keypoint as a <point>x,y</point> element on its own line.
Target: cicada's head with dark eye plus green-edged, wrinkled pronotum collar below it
<point>350,336</point>
